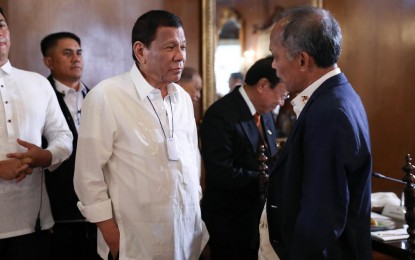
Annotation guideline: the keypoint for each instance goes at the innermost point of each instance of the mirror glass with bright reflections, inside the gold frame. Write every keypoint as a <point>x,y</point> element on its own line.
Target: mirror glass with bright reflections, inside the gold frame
<point>241,38</point>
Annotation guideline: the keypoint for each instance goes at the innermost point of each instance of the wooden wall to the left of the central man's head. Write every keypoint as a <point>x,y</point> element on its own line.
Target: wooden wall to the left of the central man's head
<point>104,27</point>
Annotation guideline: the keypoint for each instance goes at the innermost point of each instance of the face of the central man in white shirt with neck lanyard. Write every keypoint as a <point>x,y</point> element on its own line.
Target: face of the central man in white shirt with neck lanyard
<point>163,61</point>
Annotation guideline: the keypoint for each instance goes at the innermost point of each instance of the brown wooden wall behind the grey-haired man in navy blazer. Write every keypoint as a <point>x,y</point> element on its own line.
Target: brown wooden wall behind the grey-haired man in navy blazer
<point>378,54</point>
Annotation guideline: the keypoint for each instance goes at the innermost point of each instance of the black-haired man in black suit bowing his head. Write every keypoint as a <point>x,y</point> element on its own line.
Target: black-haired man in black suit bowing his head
<point>230,138</point>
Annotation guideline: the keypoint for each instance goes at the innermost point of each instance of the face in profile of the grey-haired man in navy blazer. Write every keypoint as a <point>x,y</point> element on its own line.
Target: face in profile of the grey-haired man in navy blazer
<point>288,70</point>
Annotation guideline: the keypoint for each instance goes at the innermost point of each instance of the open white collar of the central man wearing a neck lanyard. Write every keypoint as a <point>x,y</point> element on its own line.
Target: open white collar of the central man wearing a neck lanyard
<point>144,89</point>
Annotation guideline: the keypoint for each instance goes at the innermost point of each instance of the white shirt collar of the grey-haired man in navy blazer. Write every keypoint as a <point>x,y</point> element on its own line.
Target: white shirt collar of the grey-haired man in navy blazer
<point>301,99</point>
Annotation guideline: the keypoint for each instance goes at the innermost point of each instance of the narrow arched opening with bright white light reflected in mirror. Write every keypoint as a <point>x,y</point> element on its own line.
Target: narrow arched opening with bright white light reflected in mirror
<point>228,49</point>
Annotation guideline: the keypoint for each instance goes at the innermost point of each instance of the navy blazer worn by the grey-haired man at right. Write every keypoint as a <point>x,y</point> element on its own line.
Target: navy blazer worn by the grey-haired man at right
<point>319,193</point>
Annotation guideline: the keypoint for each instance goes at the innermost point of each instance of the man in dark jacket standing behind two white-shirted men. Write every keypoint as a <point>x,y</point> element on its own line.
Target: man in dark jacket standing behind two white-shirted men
<point>73,237</point>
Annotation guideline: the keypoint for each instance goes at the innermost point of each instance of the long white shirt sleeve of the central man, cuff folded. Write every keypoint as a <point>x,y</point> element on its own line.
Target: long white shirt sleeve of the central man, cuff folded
<point>95,141</point>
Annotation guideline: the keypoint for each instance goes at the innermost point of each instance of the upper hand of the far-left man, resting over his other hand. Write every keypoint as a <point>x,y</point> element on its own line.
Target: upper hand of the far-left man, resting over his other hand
<point>39,157</point>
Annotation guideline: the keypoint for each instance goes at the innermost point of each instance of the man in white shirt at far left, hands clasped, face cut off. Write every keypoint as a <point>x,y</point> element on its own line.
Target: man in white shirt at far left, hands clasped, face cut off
<point>29,110</point>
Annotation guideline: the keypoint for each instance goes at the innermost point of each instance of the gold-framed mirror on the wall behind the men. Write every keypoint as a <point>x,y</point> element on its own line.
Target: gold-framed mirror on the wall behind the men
<point>253,18</point>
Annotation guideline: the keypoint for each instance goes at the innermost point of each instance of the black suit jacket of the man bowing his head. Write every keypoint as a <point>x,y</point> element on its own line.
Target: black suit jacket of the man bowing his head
<point>230,138</point>
